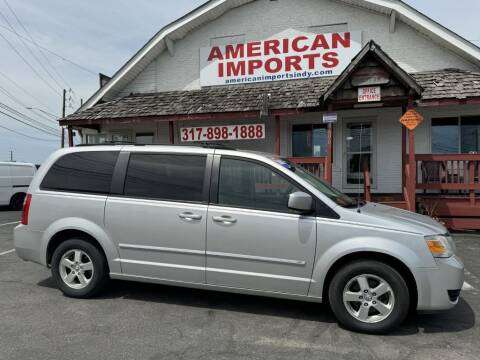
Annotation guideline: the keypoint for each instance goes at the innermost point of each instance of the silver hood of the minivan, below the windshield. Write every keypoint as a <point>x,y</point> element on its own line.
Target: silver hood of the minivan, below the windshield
<point>397,219</point>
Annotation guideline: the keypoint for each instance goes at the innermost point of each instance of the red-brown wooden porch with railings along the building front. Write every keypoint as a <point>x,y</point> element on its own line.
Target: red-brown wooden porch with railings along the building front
<point>446,187</point>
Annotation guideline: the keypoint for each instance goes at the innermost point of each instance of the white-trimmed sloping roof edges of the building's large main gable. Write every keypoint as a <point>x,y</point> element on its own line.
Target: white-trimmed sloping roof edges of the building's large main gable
<point>213,9</point>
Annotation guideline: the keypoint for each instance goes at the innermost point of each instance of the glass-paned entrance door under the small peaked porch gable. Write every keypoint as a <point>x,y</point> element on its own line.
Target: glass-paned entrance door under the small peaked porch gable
<point>359,154</point>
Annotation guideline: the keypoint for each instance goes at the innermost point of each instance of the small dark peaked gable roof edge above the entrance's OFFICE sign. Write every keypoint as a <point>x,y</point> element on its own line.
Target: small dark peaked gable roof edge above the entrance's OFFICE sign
<point>372,48</point>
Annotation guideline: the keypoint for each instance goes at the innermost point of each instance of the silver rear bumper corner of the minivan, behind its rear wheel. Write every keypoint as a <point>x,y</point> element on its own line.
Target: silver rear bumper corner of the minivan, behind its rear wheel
<point>28,244</point>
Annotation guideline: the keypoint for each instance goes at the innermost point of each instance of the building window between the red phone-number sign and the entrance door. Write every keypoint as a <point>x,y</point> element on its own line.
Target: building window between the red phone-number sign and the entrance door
<point>309,140</point>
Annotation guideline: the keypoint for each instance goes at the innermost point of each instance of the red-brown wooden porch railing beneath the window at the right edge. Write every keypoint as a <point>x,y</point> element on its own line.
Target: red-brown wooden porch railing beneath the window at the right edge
<point>449,173</point>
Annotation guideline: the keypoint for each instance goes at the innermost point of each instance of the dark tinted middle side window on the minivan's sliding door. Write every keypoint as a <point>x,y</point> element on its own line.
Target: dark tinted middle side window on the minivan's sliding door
<point>166,177</point>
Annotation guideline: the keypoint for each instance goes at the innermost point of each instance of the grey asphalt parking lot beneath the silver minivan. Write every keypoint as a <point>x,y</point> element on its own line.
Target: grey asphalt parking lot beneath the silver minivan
<point>141,321</point>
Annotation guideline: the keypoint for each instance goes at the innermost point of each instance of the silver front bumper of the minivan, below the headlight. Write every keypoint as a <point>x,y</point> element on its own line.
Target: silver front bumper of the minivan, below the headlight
<point>435,285</point>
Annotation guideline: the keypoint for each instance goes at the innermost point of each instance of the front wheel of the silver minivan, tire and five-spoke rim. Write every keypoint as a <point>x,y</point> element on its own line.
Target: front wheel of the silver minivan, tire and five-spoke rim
<point>372,313</point>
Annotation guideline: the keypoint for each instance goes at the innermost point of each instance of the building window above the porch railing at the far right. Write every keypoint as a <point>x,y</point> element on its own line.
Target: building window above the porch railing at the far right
<point>455,135</point>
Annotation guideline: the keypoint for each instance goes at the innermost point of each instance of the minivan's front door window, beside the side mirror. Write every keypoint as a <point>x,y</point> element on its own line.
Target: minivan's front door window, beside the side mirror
<point>246,184</point>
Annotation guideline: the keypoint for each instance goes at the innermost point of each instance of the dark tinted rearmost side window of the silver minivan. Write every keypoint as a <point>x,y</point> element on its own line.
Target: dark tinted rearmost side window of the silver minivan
<point>89,172</point>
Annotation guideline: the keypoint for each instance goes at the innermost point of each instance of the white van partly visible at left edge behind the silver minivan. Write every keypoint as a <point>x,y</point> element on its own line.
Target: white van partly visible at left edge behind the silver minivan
<point>15,179</point>
